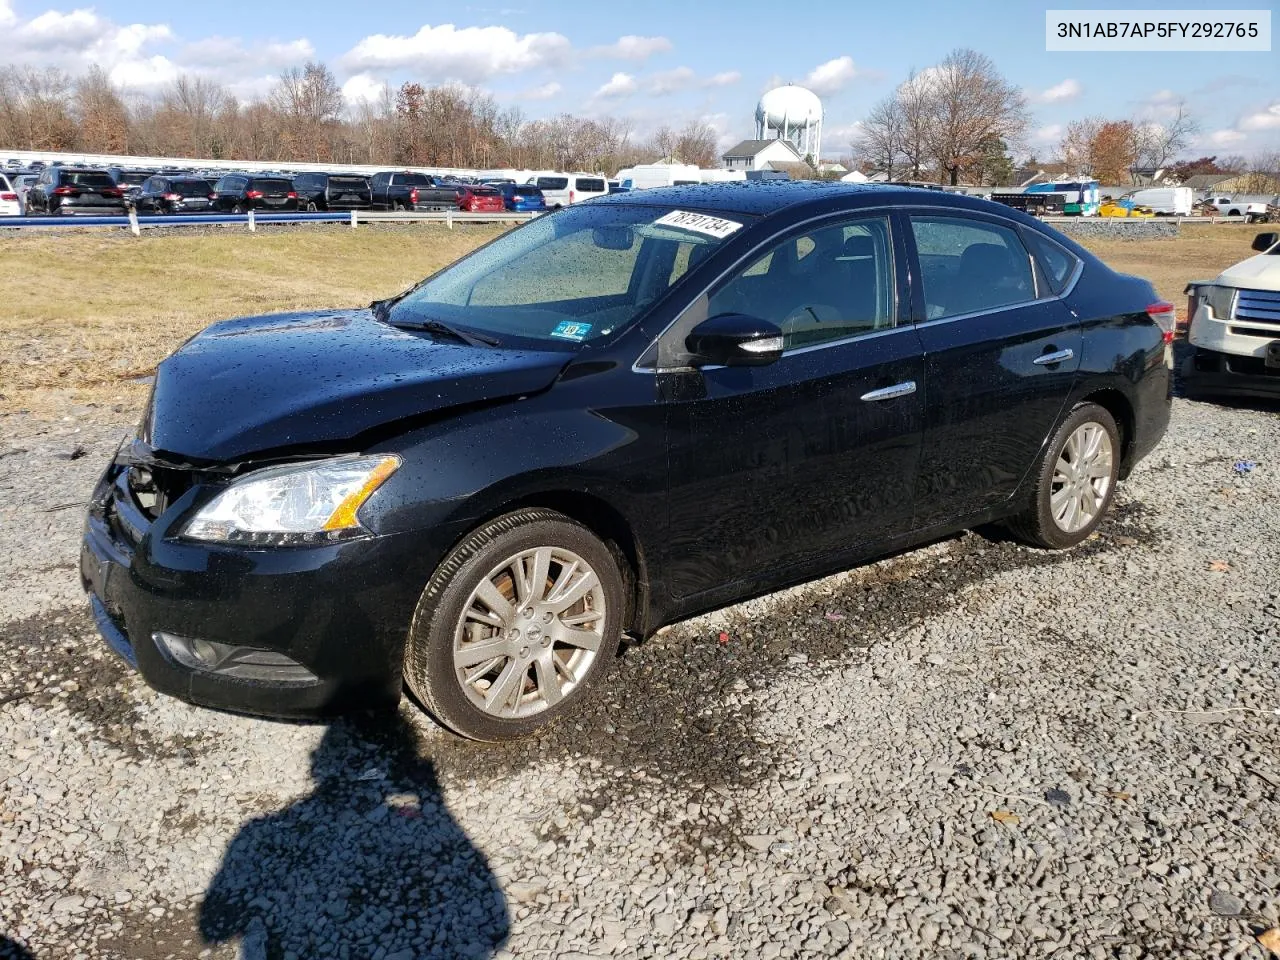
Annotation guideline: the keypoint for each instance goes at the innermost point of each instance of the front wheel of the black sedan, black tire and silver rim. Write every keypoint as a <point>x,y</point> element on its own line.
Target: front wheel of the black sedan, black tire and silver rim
<point>452,620</point>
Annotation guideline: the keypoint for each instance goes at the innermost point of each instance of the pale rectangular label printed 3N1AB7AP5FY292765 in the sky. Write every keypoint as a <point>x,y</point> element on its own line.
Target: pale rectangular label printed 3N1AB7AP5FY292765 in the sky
<point>1142,31</point>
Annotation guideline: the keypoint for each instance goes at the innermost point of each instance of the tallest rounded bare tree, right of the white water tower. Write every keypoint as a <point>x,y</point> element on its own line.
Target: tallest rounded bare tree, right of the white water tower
<point>971,103</point>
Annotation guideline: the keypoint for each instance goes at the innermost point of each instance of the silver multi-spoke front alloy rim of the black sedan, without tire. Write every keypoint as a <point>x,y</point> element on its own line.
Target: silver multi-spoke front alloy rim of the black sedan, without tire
<point>529,633</point>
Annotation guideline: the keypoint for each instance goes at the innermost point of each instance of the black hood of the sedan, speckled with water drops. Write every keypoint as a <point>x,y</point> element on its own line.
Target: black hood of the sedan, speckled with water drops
<point>248,386</point>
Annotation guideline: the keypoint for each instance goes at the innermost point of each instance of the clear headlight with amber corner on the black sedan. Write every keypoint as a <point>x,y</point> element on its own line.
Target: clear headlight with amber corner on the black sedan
<point>305,504</point>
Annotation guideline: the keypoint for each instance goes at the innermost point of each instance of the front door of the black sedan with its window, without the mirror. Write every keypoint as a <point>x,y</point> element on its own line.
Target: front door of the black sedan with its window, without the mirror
<point>785,468</point>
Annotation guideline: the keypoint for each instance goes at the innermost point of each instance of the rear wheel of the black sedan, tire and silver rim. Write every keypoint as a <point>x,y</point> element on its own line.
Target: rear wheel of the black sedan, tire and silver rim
<point>1040,524</point>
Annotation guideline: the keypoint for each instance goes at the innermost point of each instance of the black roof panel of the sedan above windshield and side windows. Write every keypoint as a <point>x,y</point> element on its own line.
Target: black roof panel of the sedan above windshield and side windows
<point>765,198</point>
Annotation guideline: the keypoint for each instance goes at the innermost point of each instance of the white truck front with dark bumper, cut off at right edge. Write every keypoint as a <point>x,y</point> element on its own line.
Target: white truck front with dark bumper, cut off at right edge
<point>1236,328</point>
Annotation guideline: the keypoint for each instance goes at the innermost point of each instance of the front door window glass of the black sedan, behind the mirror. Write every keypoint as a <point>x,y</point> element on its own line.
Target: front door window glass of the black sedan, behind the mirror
<point>825,285</point>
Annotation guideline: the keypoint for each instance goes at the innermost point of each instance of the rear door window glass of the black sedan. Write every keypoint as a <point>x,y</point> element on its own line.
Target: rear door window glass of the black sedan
<point>971,266</point>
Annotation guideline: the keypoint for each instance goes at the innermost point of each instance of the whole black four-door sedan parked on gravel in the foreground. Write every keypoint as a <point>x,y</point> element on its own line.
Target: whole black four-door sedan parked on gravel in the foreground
<point>610,419</point>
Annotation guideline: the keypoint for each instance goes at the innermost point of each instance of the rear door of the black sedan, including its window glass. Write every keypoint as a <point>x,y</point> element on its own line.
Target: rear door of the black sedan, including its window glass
<point>1002,356</point>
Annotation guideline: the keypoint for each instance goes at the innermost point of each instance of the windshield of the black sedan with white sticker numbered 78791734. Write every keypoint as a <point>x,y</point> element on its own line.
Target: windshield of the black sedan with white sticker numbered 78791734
<point>578,276</point>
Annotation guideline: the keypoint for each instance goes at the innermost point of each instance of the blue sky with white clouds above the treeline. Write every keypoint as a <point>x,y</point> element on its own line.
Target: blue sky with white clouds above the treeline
<point>664,62</point>
